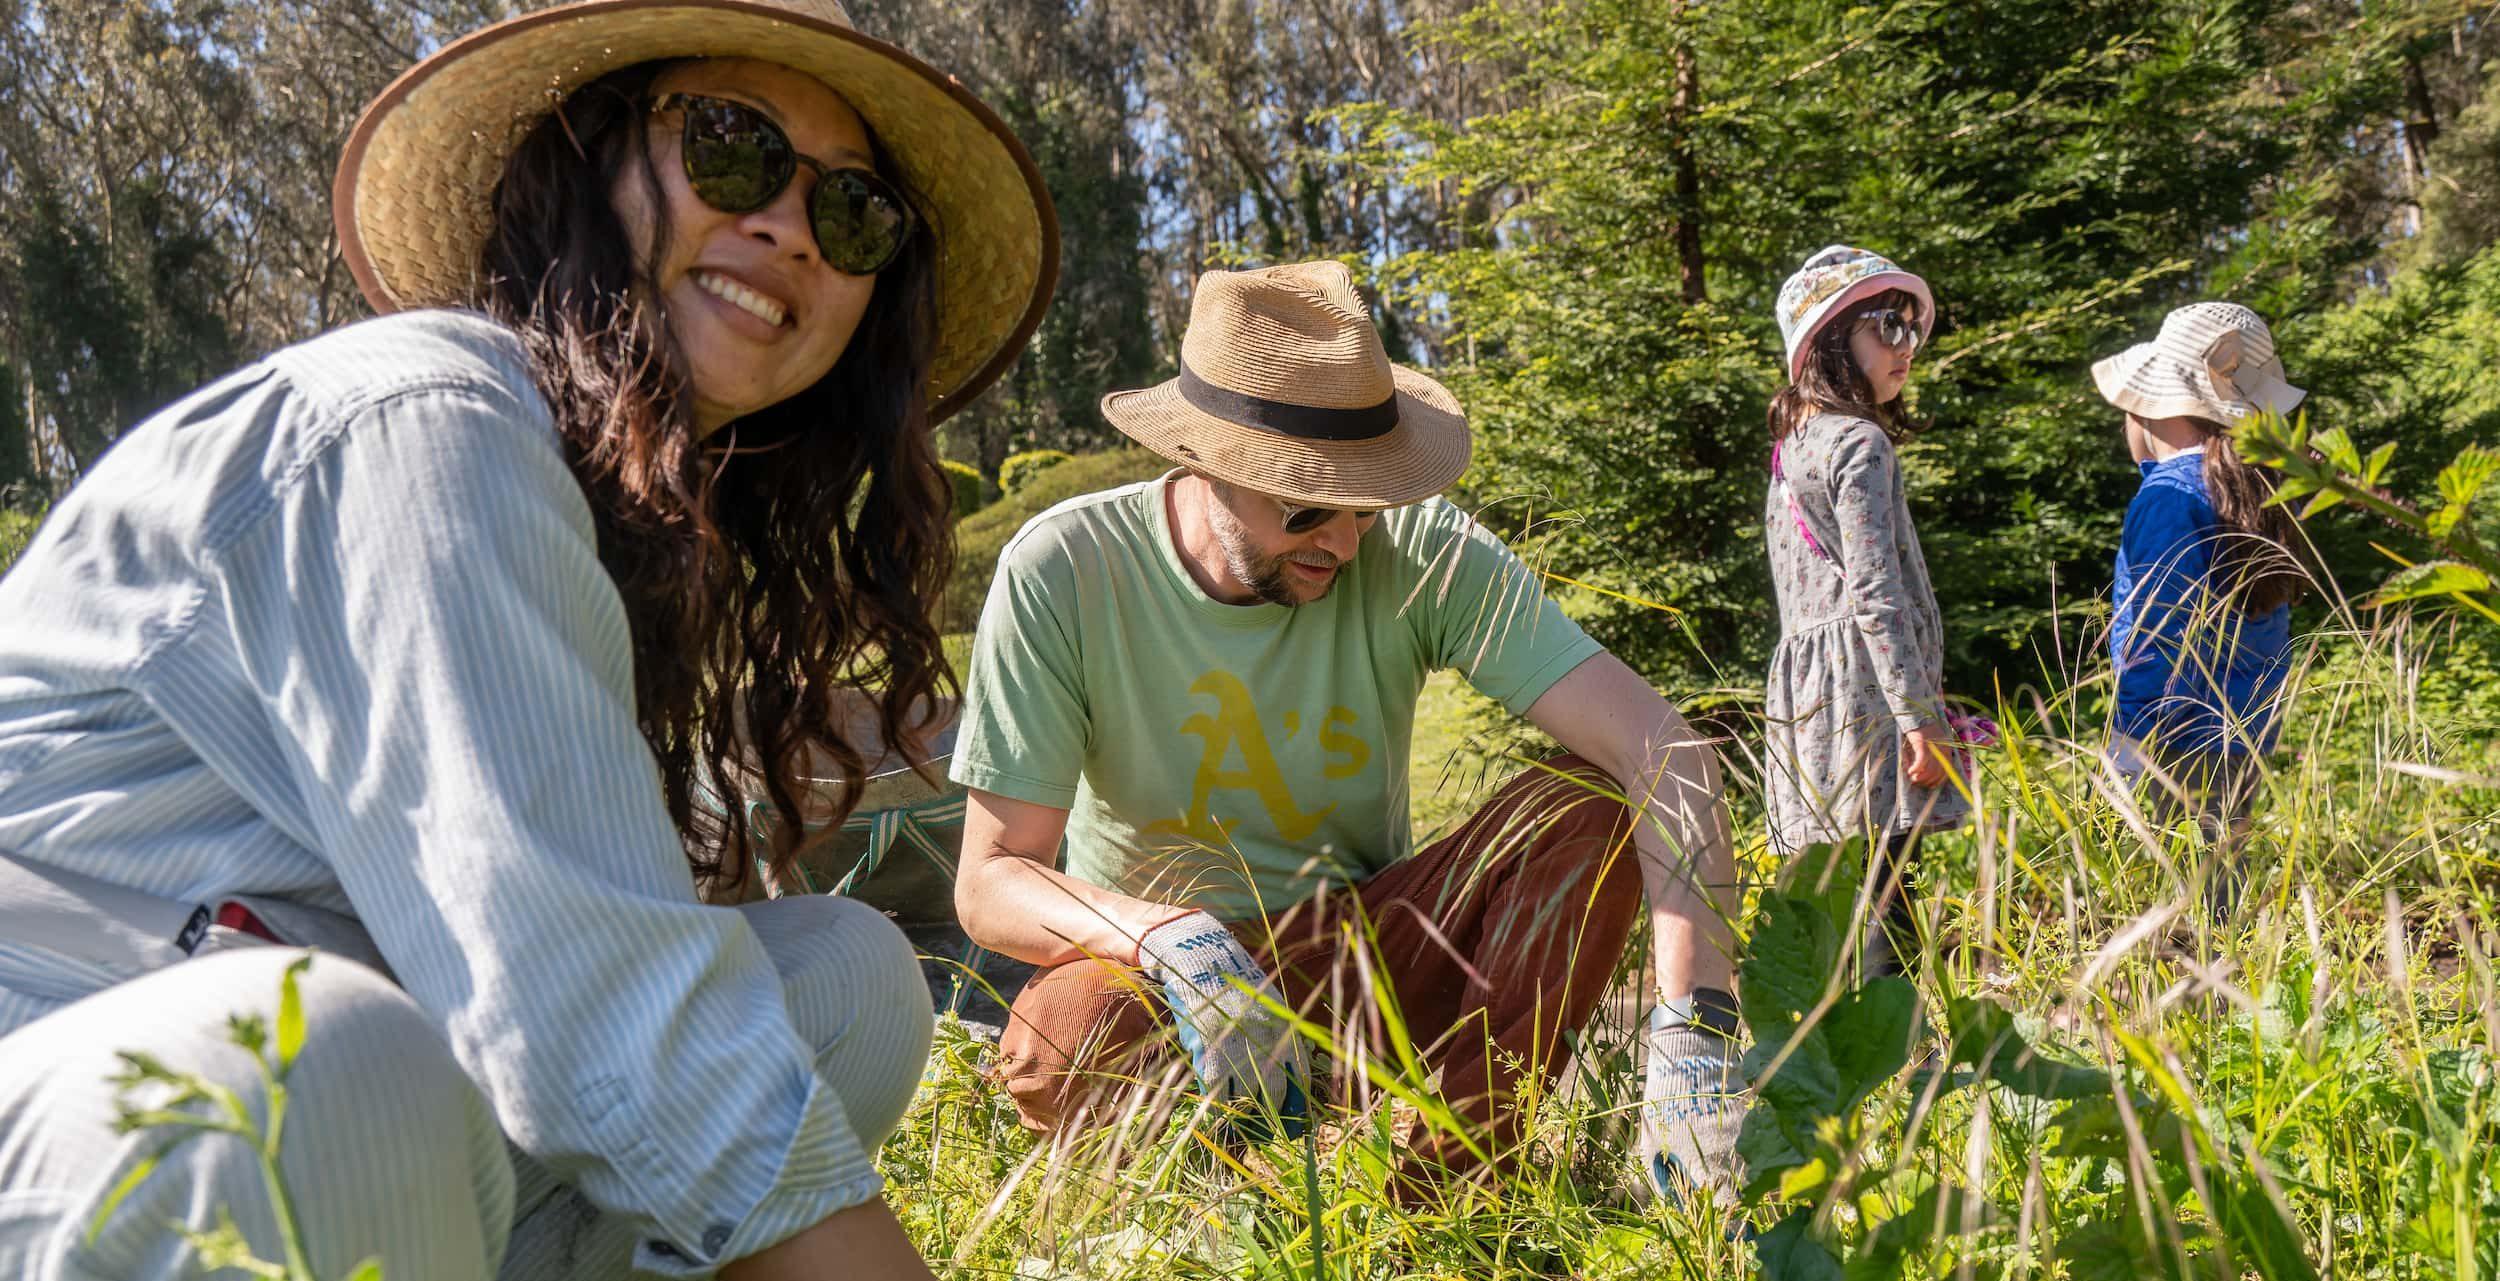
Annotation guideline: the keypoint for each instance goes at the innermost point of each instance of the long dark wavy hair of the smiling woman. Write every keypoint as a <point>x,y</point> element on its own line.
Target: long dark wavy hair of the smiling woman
<point>766,569</point>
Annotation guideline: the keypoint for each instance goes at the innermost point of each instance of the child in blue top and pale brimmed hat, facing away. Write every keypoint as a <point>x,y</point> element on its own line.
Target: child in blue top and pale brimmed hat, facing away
<point>2206,574</point>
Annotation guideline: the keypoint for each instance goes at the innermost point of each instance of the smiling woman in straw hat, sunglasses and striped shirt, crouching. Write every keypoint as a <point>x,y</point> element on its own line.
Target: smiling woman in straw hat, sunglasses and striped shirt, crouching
<point>414,644</point>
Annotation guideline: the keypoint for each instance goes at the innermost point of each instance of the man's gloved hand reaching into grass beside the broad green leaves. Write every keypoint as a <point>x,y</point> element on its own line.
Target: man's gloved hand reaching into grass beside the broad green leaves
<point>1691,1112</point>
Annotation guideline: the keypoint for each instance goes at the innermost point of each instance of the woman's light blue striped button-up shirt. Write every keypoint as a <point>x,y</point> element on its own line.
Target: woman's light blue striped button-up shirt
<point>336,632</point>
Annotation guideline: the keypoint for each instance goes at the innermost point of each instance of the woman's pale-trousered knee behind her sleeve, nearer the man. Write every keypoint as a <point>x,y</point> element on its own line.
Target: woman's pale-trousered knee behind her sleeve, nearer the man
<point>856,995</point>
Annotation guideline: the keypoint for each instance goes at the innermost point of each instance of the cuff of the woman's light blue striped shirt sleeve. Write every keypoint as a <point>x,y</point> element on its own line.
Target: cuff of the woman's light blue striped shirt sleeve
<point>824,1172</point>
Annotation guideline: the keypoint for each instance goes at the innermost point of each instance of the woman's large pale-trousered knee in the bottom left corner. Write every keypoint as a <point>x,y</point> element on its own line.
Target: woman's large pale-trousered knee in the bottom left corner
<point>389,1150</point>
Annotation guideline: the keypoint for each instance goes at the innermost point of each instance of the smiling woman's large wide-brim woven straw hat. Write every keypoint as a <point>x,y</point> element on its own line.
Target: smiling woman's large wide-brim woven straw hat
<point>416,179</point>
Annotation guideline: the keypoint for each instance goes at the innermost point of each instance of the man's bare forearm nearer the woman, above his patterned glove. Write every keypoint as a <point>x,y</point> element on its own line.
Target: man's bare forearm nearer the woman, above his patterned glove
<point>1044,917</point>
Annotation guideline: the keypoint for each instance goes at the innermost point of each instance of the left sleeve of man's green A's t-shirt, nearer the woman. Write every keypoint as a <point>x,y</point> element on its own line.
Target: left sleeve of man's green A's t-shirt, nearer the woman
<point>1026,722</point>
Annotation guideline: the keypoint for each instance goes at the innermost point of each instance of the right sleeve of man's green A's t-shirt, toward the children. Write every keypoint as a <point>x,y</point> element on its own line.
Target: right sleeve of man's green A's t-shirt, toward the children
<point>1484,612</point>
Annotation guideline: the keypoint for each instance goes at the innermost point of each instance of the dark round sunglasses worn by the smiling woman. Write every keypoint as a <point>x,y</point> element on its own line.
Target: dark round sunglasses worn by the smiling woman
<point>741,161</point>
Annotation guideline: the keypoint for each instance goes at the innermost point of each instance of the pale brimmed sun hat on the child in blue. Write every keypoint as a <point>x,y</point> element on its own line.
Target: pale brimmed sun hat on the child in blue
<point>2211,362</point>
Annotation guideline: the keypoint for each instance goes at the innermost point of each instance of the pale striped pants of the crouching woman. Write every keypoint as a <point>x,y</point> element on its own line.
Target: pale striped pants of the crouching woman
<point>389,1147</point>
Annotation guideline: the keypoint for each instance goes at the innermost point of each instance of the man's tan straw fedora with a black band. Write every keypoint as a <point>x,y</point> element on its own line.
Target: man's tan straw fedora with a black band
<point>1286,389</point>
